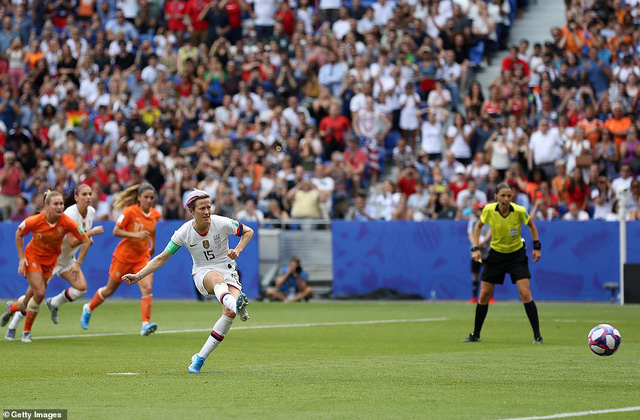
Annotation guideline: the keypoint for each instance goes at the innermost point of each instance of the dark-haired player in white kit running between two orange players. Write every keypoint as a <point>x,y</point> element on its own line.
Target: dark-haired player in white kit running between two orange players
<point>79,209</point>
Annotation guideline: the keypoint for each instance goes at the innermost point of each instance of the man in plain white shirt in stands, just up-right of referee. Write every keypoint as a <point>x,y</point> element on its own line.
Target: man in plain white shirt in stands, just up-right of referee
<point>543,149</point>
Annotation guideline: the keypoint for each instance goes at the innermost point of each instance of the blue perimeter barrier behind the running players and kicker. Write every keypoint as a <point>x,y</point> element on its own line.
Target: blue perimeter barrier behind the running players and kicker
<point>173,280</point>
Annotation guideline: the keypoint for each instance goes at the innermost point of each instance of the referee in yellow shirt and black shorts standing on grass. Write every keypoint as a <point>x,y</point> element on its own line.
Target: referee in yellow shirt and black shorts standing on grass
<point>507,255</point>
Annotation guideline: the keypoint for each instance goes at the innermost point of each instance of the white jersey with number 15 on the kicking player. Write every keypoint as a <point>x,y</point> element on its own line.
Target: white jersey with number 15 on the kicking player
<point>210,250</point>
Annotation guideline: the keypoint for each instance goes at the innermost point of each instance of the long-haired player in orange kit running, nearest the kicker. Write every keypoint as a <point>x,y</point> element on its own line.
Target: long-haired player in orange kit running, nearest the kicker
<point>137,228</point>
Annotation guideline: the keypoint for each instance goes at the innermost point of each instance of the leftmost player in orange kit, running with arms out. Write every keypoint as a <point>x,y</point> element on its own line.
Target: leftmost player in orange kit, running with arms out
<point>37,262</point>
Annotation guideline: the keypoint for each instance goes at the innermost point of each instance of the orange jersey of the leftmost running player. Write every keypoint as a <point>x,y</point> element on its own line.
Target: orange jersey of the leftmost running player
<point>46,245</point>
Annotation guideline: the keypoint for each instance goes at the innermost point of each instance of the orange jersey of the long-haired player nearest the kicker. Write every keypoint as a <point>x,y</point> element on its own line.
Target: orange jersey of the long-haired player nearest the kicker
<point>132,219</point>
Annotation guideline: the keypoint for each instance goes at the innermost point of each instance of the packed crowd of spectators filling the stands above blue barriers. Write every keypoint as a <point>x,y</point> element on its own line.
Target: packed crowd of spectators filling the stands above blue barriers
<point>301,110</point>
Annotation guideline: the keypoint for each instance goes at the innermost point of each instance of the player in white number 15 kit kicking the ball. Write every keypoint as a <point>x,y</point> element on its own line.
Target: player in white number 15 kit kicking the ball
<point>214,267</point>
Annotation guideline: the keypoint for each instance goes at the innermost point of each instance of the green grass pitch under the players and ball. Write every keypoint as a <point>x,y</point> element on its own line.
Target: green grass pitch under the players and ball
<point>326,360</point>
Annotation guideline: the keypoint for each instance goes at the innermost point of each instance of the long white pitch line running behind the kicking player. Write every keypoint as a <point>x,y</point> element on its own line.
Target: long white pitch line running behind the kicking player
<point>253,327</point>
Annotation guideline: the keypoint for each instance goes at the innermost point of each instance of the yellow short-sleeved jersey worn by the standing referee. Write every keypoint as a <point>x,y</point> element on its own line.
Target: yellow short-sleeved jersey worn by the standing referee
<point>505,231</point>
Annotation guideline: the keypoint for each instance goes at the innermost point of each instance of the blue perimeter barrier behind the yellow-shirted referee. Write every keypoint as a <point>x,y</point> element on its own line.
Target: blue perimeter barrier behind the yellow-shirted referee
<point>421,258</point>
